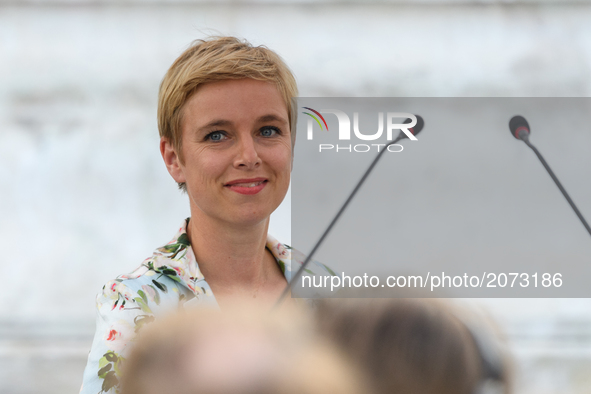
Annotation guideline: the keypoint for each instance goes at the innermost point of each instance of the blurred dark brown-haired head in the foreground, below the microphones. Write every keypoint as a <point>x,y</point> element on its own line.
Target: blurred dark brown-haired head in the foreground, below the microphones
<point>408,346</point>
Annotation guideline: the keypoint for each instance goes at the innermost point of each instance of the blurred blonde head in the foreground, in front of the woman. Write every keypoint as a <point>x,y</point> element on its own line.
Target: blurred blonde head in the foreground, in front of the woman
<point>243,350</point>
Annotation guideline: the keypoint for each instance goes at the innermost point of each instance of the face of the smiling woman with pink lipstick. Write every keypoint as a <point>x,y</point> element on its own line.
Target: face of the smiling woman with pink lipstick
<point>237,150</point>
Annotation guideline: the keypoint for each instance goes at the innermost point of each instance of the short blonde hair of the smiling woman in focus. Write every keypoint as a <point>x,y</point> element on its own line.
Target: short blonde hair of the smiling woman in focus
<point>217,59</point>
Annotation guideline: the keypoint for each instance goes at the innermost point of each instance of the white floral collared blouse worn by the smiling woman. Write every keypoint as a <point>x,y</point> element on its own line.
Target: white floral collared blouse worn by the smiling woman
<point>162,284</point>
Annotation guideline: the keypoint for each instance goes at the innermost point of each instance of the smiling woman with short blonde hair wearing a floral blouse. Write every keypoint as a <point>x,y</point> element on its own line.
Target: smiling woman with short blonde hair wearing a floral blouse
<point>227,136</point>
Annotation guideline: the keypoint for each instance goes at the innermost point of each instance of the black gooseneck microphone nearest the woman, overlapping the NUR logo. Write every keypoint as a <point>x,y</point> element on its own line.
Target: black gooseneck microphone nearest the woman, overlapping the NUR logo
<point>414,130</point>
